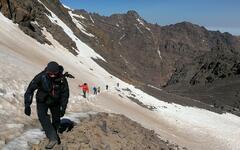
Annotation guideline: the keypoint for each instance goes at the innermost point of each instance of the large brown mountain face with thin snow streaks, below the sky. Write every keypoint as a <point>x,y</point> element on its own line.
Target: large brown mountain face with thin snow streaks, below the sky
<point>144,53</point>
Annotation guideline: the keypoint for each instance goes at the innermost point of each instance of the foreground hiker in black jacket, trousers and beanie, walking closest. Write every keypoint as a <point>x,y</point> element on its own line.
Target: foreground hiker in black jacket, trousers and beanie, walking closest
<point>52,93</point>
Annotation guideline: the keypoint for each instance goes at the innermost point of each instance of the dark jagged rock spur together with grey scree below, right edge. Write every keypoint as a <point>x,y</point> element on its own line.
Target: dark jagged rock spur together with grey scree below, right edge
<point>212,78</point>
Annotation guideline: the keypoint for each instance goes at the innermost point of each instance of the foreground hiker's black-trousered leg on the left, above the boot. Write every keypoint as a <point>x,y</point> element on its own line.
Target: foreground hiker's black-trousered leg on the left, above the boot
<point>45,121</point>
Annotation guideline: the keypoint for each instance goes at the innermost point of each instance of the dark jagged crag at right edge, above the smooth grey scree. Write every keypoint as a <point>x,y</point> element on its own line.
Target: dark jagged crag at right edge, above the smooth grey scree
<point>212,66</point>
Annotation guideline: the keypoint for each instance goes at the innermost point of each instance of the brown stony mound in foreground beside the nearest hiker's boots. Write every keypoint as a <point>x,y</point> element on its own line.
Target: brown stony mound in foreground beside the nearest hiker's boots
<point>109,132</point>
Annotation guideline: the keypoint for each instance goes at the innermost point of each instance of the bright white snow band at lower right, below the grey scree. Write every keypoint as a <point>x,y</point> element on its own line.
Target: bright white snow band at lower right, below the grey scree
<point>223,127</point>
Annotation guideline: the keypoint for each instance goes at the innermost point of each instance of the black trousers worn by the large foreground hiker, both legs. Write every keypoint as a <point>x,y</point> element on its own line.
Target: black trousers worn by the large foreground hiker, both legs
<point>49,127</point>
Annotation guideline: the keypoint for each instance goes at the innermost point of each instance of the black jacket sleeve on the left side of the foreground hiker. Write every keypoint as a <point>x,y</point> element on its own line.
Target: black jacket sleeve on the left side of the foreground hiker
<point>28,96</point>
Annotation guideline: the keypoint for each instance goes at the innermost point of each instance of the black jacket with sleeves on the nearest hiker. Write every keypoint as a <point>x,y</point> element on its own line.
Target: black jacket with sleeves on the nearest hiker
<point>54,89</point>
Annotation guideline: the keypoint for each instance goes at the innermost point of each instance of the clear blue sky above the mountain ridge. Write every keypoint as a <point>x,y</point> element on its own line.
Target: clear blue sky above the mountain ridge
<point>223,15</point>
